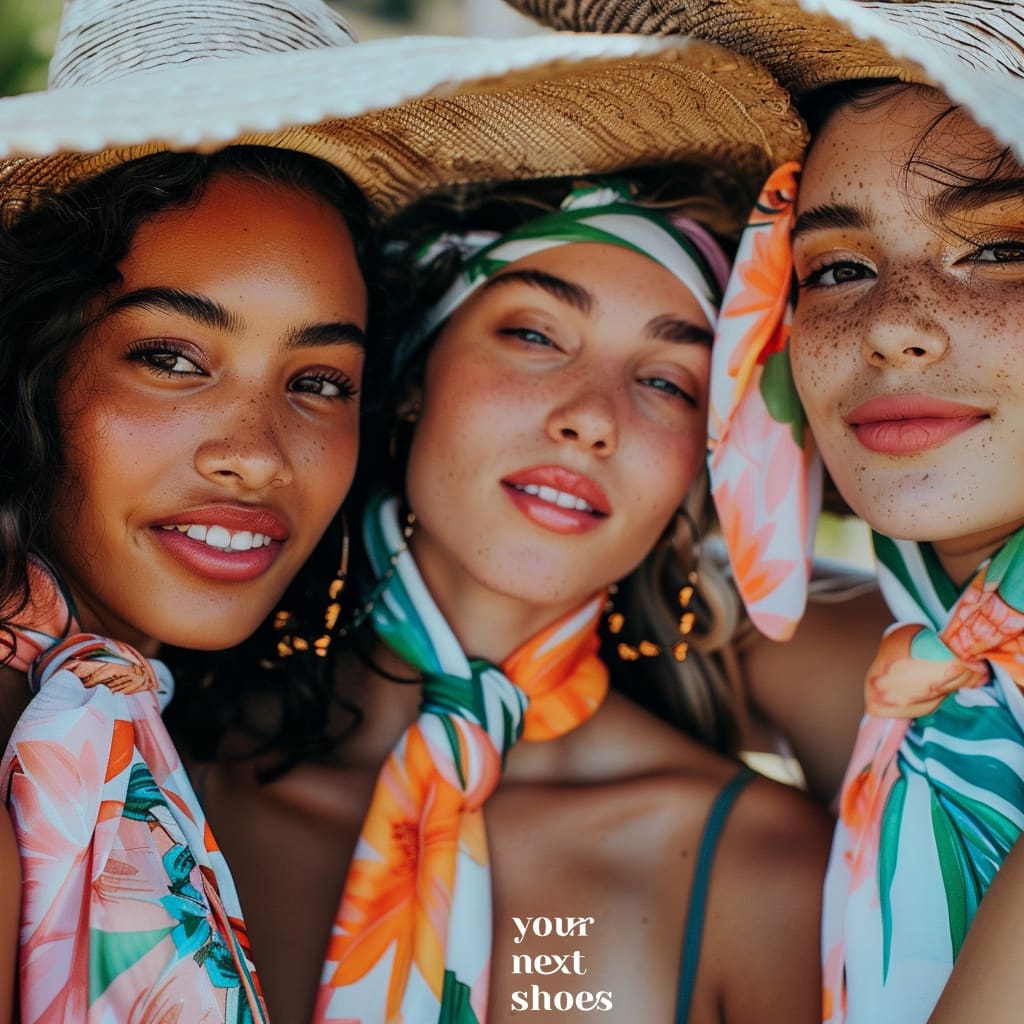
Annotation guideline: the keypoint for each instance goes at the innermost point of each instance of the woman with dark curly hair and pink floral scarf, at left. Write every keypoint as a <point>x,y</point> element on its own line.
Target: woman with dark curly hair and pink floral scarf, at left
<point>205,434</point>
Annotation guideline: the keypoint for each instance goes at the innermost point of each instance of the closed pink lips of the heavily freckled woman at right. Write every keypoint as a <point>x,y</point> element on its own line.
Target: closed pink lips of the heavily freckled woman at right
<point>907,424</point>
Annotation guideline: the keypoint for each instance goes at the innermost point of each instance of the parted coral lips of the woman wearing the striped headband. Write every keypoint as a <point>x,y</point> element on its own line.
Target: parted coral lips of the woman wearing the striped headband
<point>558,499</point>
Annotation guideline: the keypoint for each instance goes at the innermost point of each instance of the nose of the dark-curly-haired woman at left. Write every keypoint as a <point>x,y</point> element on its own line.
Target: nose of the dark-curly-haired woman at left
<point>243,449</point>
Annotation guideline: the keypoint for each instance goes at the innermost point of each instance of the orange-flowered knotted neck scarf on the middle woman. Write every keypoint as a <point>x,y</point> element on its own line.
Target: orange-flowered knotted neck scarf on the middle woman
<point>413,938</point>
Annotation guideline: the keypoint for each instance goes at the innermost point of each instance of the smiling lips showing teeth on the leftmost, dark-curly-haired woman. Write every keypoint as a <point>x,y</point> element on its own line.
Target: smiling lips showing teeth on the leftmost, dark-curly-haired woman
<point>227,543</point>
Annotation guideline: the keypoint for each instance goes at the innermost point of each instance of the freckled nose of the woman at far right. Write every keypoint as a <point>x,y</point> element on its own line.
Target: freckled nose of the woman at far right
<point>902,331</point>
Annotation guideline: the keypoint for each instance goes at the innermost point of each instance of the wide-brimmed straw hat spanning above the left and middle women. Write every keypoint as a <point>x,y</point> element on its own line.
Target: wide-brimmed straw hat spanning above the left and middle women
<point>402,117</point>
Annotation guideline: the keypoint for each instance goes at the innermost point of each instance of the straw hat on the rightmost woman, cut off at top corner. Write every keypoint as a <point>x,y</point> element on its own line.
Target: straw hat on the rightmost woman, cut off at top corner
<point>972,50</point>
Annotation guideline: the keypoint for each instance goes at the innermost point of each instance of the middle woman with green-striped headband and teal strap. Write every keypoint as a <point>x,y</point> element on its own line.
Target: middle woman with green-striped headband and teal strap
<point>544,425</point>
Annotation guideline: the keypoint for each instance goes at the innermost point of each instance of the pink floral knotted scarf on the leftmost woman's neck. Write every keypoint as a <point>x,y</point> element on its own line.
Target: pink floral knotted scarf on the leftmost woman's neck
<point>129,912</point>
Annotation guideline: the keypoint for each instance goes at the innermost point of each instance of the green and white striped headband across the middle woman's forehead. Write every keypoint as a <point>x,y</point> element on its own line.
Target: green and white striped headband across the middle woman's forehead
<point>605,212</point>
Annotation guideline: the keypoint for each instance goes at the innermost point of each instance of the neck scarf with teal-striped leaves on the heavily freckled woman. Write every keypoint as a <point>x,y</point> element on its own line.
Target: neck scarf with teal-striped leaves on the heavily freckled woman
<point>934,796</point>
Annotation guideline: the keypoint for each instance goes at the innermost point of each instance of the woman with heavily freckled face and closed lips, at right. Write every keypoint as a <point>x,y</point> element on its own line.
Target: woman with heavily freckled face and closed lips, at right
<point>907,353</point>
